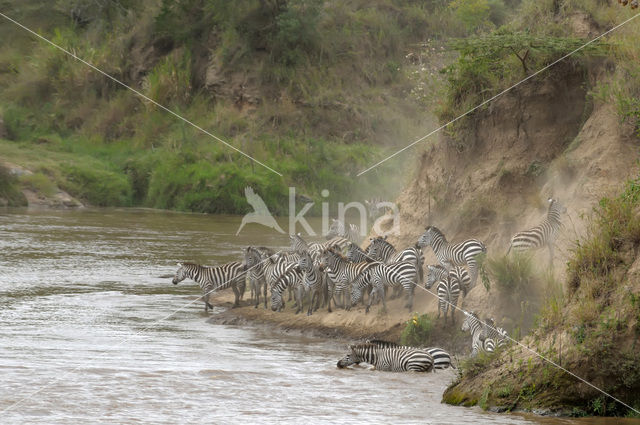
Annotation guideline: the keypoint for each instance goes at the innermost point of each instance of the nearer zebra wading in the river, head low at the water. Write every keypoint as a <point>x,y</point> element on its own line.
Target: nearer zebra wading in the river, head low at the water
<point>392,359</point>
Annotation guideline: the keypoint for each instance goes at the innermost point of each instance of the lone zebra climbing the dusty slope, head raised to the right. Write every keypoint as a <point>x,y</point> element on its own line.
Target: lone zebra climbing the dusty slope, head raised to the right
<point>542,235</point>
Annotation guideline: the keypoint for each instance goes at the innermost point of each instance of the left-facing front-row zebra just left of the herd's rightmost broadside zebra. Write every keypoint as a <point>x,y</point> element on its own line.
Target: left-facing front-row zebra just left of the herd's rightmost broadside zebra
<point>342,273</point>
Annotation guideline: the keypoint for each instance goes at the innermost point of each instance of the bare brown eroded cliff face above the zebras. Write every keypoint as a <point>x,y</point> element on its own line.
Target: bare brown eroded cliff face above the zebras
<point>493,175</point>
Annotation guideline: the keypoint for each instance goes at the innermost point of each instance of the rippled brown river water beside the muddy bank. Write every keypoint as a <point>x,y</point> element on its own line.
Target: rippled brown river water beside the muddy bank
<point>90,333</point>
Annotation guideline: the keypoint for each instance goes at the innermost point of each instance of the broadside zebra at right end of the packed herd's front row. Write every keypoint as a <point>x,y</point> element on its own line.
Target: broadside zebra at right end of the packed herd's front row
<point>401,274</point>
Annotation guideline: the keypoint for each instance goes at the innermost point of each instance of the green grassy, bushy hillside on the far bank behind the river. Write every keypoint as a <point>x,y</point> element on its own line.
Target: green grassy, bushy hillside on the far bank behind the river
<point>314,89</point>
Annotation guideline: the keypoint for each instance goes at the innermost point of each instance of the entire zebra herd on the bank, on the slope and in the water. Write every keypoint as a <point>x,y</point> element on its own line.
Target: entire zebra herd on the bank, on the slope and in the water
<point>339,271</point>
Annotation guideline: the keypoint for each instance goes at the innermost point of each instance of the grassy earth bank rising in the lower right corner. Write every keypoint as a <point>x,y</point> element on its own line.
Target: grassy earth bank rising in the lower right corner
<point>592,330</point>
